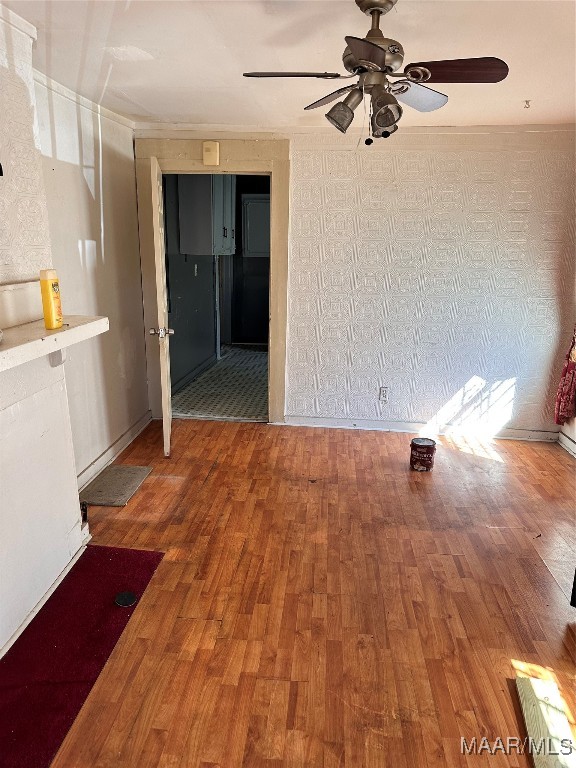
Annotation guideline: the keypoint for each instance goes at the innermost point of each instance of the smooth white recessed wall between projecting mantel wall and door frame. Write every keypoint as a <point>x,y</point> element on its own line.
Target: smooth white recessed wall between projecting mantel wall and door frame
<point>88,164</point>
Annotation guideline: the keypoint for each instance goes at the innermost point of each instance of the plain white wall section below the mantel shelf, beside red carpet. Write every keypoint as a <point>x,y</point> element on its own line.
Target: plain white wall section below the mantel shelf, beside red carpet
<point>40,525</point>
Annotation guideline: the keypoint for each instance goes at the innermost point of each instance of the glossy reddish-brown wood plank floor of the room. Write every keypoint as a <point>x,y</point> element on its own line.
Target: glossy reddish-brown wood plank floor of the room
<point>320,604</point>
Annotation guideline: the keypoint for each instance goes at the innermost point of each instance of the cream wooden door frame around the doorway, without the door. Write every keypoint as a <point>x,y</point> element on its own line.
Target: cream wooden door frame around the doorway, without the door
<point>266,157</point>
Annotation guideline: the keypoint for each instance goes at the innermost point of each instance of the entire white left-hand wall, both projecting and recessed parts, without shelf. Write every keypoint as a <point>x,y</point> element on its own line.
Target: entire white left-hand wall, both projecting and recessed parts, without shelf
<point>71,205</point>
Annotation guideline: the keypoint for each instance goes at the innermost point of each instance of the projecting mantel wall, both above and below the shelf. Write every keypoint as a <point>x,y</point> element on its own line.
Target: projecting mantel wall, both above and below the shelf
<point>40,525</point>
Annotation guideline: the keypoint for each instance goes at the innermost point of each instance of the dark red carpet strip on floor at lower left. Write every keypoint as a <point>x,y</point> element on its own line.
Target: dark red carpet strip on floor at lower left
<point>48,673</point>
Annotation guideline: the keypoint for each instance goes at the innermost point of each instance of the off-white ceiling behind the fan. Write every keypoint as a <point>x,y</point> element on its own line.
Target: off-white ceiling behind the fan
<point>181,61</point>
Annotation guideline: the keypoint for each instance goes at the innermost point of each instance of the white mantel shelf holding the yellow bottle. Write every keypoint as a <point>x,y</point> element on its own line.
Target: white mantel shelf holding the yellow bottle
<point>27,342</point>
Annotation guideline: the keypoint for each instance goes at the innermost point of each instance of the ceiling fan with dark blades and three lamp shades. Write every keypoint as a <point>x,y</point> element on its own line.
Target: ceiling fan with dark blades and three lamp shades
<point>374,60</point>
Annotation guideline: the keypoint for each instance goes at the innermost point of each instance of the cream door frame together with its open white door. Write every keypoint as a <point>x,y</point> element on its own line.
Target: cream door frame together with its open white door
<point>238,155</point>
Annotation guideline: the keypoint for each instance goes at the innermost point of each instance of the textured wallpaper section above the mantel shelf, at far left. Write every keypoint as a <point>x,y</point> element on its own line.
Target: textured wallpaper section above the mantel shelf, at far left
<point>24,237</point>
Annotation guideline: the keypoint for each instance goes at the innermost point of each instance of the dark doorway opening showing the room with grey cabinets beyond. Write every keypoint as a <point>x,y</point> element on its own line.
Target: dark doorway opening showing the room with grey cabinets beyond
<point>217,237</point>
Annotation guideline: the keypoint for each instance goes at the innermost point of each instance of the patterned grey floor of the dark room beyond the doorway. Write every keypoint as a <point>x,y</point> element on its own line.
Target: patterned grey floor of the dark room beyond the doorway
<point>234,389</point>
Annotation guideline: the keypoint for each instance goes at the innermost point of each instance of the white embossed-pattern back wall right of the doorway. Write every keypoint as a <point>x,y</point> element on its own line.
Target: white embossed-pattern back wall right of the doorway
<point>439,266</point>
